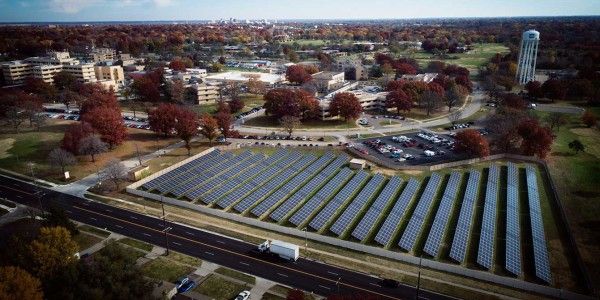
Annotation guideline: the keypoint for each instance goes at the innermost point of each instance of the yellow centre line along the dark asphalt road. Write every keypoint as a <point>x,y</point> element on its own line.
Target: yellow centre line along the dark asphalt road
<point>238,254</point>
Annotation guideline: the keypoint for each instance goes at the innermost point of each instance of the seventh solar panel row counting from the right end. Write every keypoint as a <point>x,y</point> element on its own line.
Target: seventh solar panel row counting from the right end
<point>392,221</point>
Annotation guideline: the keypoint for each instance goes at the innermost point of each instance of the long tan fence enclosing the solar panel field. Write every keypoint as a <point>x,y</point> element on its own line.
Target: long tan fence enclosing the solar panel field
<point>444,267</point>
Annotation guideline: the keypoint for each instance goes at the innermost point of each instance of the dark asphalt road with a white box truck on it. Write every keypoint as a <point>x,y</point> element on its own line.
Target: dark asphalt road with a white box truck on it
<point>304,274</point>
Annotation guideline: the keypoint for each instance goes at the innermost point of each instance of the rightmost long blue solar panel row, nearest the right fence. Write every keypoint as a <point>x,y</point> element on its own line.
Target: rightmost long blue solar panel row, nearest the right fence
<point>540,252</point>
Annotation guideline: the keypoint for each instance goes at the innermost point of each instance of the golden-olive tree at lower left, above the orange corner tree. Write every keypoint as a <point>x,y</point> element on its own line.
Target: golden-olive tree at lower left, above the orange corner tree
<point>51,251</point>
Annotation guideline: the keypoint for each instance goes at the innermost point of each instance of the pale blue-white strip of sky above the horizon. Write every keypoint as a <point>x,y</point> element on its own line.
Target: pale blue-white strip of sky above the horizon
<point>155,10</point>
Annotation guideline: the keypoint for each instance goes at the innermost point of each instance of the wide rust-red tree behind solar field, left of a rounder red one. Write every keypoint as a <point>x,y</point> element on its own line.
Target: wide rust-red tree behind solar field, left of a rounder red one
<point>294,102</point>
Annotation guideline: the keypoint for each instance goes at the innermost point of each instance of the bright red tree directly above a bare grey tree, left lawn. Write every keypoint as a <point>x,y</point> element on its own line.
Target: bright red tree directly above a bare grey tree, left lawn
<point>108,123</point>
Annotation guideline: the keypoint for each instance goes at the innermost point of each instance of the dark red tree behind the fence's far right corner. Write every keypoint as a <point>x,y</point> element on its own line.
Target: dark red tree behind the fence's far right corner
<point>536,140</point>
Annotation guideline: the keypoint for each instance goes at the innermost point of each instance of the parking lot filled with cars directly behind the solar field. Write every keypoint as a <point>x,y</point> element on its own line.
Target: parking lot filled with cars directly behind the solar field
<point>414,148</point>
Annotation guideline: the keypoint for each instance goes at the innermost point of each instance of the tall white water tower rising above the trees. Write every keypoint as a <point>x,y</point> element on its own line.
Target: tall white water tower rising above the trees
<point>528,56</point>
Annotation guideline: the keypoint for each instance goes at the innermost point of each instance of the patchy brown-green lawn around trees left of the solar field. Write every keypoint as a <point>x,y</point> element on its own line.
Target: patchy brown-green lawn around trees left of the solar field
<point>17,150</point>
